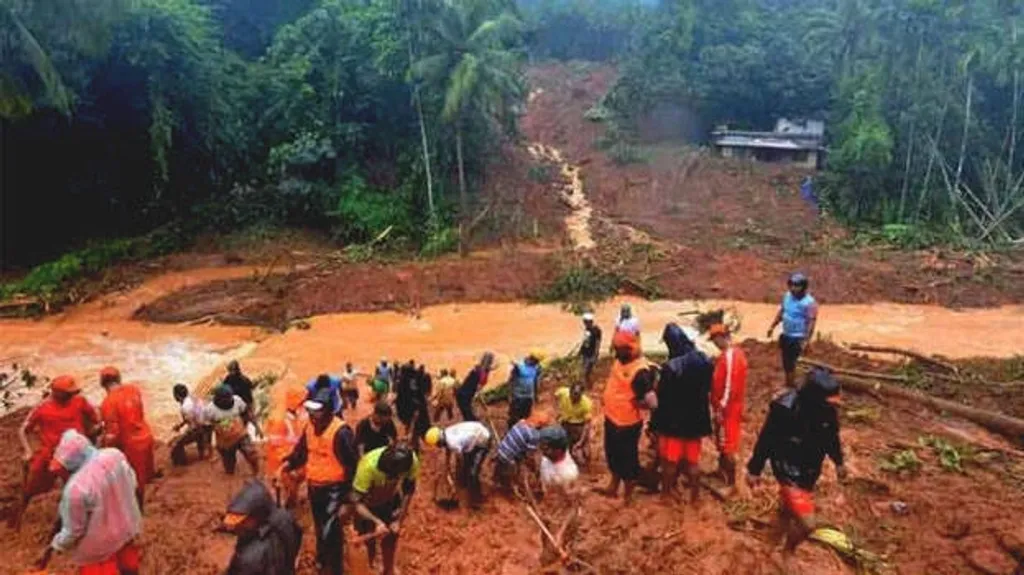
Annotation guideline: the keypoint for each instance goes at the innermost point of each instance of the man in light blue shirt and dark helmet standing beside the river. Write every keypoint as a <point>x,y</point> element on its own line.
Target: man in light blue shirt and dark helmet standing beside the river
<point>799,316</point>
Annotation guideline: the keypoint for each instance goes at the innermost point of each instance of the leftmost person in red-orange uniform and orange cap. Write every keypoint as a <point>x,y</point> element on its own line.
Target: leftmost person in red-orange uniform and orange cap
<point>64,410</point>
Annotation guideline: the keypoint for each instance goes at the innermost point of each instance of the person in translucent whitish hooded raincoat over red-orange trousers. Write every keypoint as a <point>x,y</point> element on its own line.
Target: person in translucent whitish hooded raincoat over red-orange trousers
<point>100,514</point>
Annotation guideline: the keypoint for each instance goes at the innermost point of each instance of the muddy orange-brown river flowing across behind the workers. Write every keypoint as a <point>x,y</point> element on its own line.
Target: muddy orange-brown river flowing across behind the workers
<point>102,333</point>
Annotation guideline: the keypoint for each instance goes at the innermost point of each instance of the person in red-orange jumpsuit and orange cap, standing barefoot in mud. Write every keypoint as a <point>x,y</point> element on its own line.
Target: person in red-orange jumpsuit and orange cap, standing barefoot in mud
<point>729,393</point>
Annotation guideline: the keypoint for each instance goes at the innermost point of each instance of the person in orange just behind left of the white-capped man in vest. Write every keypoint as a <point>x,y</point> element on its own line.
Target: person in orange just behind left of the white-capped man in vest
<point>283,433</point>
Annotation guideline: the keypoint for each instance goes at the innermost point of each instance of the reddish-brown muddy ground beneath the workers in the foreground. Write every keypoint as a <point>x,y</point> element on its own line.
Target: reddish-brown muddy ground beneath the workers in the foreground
<point>955,522</point>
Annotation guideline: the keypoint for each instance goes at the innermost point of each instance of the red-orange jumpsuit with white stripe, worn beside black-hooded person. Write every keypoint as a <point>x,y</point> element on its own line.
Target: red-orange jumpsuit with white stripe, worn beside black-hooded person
<point>729,392</point>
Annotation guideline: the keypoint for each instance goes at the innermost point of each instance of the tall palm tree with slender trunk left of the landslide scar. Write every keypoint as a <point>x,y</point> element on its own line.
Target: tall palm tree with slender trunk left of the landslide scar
<point>473,62</point>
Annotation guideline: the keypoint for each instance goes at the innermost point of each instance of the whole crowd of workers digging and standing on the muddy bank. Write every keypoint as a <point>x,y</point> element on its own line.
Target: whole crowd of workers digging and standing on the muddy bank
<point>367,475</point>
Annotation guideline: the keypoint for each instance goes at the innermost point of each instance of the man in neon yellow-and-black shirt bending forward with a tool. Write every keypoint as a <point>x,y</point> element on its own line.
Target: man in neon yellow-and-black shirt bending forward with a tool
<point>385,485</point>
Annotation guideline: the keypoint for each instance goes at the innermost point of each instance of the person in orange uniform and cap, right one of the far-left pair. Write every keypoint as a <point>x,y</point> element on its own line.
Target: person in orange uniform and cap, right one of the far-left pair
<point>125,427</point>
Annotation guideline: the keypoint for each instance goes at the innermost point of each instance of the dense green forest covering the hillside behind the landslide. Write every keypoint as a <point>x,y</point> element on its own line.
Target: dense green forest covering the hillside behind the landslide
<point>123,117</point>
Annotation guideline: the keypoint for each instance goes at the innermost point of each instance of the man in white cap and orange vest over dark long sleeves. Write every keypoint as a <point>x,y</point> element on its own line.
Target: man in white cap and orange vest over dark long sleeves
<point>327,450</point>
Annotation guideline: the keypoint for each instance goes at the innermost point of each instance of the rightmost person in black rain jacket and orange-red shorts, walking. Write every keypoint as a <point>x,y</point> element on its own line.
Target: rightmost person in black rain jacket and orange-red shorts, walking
<point>801,429</point>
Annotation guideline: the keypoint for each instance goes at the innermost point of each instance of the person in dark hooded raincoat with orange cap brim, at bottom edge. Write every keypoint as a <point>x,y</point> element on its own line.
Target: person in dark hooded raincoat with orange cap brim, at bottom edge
<point>269,539</point>
